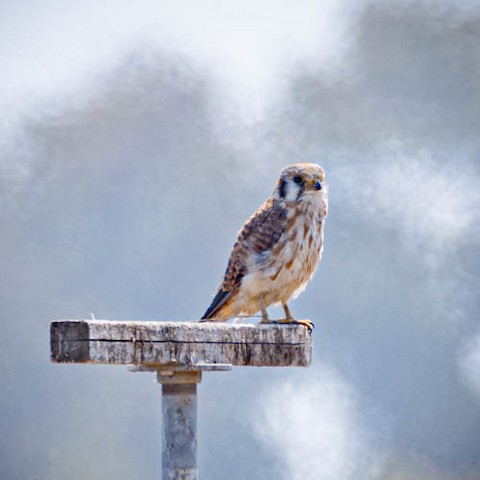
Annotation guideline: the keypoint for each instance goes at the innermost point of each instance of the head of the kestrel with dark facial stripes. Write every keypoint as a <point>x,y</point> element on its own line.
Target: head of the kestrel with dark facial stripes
<point>300,181</point>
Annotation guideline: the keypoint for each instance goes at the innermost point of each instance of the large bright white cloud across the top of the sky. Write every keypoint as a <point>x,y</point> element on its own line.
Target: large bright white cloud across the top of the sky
<point>52,49</point>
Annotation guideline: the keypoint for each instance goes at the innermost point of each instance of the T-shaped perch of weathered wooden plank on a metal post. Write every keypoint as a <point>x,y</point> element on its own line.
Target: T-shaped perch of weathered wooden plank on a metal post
<point>179,352</point>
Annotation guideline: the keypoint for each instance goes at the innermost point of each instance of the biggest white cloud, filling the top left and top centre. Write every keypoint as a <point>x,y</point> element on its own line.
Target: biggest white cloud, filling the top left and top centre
<point>246,52</point>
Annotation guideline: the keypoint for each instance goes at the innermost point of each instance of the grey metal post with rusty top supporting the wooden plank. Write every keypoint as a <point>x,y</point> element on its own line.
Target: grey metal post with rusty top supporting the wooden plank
<point>179,438</point>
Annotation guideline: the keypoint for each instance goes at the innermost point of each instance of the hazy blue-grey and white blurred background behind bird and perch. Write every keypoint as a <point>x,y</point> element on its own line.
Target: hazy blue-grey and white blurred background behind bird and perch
<point>136,137</point>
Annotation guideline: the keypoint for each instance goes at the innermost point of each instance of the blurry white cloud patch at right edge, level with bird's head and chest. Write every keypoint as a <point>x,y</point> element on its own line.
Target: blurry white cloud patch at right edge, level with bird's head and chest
<point>433,206</point>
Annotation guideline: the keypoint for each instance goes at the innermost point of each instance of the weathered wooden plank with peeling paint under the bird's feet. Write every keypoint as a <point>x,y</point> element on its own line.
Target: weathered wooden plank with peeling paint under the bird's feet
<point>190,345</point>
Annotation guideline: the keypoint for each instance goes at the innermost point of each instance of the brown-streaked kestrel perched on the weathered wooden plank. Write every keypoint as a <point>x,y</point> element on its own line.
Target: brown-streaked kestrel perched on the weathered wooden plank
<point>277,250</point>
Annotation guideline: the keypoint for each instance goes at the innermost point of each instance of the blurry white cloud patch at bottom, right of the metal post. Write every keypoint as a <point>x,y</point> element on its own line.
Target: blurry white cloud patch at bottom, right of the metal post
<point>314,429</point>
